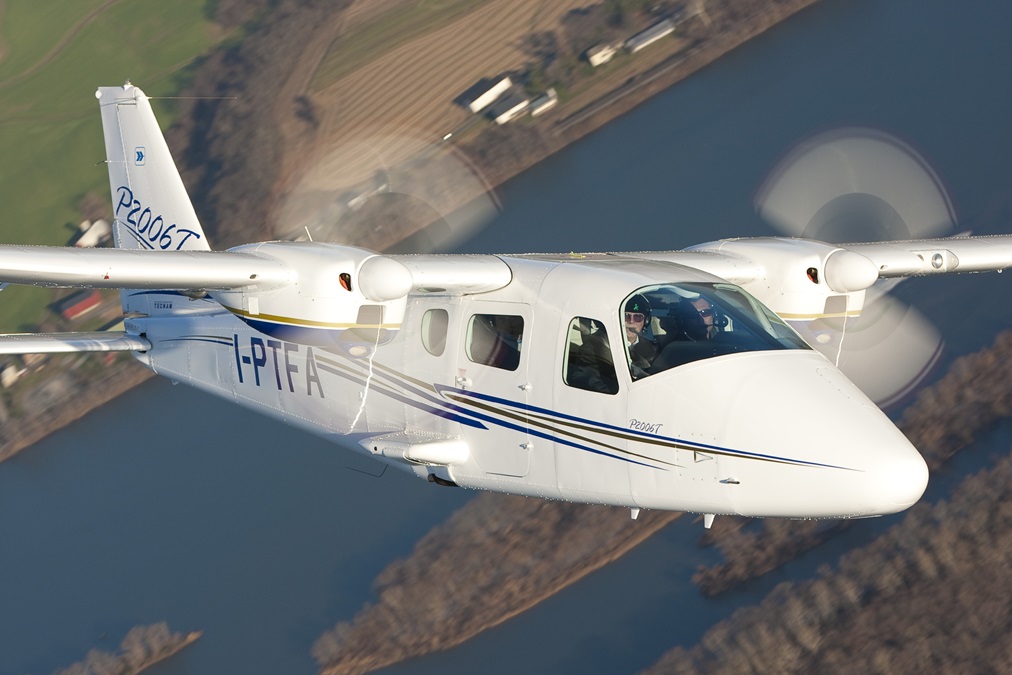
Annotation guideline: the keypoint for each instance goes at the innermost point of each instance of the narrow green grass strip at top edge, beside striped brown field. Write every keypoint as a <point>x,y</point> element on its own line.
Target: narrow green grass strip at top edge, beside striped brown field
<point>385,34</point>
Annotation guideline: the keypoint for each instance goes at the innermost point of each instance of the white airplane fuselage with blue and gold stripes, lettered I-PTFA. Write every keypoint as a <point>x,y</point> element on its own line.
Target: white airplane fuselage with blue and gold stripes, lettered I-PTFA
<point>754,434</point>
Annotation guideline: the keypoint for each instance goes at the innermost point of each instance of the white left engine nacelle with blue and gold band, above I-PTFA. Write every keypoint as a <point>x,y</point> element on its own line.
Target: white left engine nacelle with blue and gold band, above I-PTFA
<point>339,296</point>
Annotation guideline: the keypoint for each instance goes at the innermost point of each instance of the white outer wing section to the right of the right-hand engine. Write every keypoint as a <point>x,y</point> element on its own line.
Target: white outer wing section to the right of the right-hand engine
<point>938,257</point>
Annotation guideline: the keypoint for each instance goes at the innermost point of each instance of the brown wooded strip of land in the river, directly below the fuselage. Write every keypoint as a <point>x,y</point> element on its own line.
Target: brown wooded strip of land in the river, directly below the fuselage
<point>540,548</point>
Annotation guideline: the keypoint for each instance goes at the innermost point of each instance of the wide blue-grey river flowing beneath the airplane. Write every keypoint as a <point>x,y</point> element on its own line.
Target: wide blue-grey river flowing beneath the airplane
<point>171,505</point>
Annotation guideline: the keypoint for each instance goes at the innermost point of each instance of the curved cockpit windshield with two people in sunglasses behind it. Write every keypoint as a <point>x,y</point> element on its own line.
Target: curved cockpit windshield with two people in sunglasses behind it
<point>672,324</point>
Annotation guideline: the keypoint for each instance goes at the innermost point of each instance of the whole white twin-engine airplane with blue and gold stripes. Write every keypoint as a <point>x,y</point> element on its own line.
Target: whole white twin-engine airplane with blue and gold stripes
<point>515,373</point>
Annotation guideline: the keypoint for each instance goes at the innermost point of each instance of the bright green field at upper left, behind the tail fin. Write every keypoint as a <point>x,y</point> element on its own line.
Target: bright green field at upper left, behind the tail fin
<point>54,56</point>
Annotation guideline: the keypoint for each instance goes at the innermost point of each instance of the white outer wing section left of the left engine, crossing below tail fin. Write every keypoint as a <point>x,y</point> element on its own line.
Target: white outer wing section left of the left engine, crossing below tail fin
<point>132,269</point>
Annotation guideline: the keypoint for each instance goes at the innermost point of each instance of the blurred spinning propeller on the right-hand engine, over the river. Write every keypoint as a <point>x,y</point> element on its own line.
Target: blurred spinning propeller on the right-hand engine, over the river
<point>860,186</point>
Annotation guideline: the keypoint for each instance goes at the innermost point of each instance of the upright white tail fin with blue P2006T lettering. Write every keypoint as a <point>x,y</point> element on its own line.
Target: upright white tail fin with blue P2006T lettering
<point>150,207</point>
